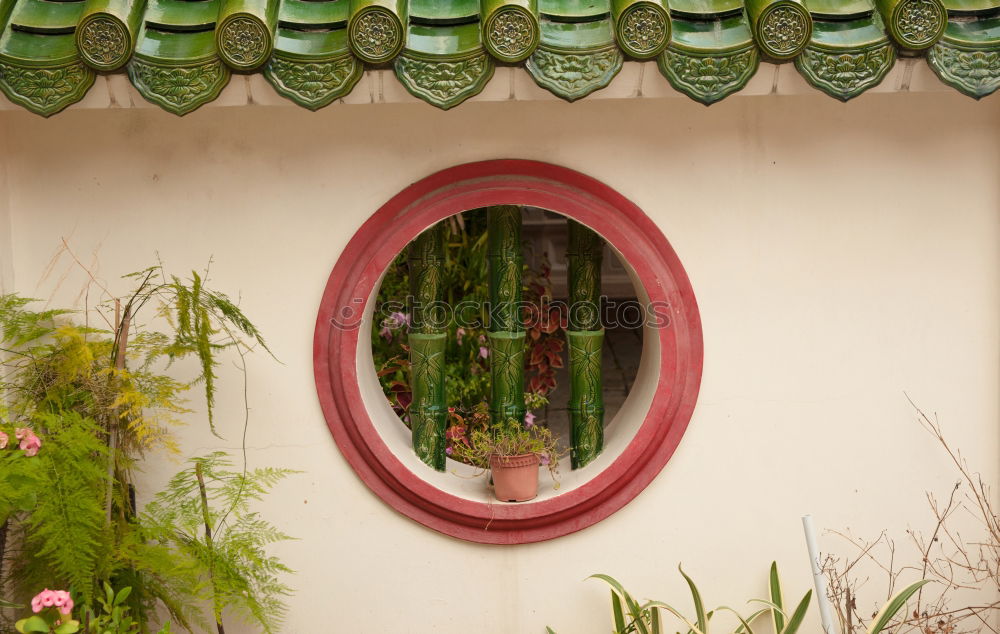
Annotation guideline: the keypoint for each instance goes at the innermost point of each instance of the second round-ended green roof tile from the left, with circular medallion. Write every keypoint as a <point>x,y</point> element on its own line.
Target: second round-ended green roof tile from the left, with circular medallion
<point>245,35</point>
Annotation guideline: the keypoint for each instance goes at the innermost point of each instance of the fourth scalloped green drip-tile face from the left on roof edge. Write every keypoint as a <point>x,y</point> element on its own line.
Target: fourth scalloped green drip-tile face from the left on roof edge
<point>444,84</point>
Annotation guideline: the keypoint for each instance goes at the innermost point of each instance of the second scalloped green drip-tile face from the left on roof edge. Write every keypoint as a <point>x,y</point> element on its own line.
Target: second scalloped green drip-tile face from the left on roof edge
<point>179,89</point>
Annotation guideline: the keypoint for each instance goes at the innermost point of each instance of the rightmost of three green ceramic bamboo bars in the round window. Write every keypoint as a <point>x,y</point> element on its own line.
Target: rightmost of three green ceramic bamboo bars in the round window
<point>585,337</point>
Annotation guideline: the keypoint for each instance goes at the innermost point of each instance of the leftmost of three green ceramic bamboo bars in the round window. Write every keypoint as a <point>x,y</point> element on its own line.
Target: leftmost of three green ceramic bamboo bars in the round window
<point>428,413</point>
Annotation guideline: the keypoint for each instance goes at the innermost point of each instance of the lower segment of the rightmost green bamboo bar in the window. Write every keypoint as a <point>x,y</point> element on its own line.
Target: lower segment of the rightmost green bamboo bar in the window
<point>586,401</point>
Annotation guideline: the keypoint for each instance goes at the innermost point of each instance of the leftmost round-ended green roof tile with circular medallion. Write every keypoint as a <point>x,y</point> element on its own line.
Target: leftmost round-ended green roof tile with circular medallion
<point>105,35</point>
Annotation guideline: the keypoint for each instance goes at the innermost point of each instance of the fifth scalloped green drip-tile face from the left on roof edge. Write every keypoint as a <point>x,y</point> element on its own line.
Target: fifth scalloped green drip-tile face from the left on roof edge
<point>574,75</point>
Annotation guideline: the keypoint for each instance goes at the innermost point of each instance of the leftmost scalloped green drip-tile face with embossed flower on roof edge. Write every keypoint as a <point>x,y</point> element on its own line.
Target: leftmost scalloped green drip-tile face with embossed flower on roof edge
<point>45,90</point>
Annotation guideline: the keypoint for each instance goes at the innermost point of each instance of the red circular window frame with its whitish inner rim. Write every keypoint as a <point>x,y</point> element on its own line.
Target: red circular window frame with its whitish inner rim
<point>640,439</point>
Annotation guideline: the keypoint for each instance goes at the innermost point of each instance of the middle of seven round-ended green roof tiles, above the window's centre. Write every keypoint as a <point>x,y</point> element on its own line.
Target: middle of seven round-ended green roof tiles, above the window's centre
<point>510,28</point>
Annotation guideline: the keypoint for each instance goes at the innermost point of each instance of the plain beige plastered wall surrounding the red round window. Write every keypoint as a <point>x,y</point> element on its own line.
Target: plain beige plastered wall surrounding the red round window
<point>841,255</point>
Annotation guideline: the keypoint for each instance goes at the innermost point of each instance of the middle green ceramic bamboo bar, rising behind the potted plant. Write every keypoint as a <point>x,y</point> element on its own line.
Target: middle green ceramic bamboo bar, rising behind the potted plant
<point>506,332</point>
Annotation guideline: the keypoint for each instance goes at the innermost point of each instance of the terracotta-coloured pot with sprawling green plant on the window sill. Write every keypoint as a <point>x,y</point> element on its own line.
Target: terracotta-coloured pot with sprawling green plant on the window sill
<point>512,451</point>
